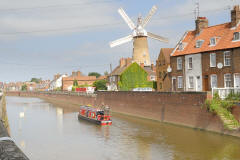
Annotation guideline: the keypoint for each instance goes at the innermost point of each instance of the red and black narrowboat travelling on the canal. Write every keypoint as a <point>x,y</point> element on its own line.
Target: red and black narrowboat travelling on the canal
<point>98,116</point>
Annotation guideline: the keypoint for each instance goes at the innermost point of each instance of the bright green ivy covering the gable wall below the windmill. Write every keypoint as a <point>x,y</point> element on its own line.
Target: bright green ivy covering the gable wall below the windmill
<point>134,77</point>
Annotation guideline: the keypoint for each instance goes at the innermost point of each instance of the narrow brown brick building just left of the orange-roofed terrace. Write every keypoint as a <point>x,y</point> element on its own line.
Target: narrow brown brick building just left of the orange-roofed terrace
<point>162,63</point>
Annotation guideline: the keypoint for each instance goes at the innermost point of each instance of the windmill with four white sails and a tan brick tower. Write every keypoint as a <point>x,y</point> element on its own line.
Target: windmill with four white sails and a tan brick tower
<point>139,37</point>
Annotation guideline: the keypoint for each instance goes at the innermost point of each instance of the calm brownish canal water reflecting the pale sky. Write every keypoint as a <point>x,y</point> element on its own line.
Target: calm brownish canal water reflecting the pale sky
<point>46,132</point>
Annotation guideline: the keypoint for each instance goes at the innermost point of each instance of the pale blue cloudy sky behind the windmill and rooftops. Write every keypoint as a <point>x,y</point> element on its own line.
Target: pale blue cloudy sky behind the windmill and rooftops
<point>40,38</point>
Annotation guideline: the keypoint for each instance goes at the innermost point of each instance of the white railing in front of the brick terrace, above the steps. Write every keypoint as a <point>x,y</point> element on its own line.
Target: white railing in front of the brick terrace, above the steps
<point>224,92</point>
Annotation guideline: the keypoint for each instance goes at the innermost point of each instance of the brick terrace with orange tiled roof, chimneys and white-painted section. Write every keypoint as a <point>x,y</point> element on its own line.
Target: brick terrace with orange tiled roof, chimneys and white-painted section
<point>208,57</point>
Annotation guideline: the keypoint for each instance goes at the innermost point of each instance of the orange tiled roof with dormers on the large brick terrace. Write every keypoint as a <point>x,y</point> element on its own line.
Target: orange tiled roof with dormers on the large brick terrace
<point>223,33</point>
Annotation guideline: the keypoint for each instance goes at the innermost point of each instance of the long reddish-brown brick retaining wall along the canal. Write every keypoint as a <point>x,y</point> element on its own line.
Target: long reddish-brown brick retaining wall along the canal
<point>181,108</point>
